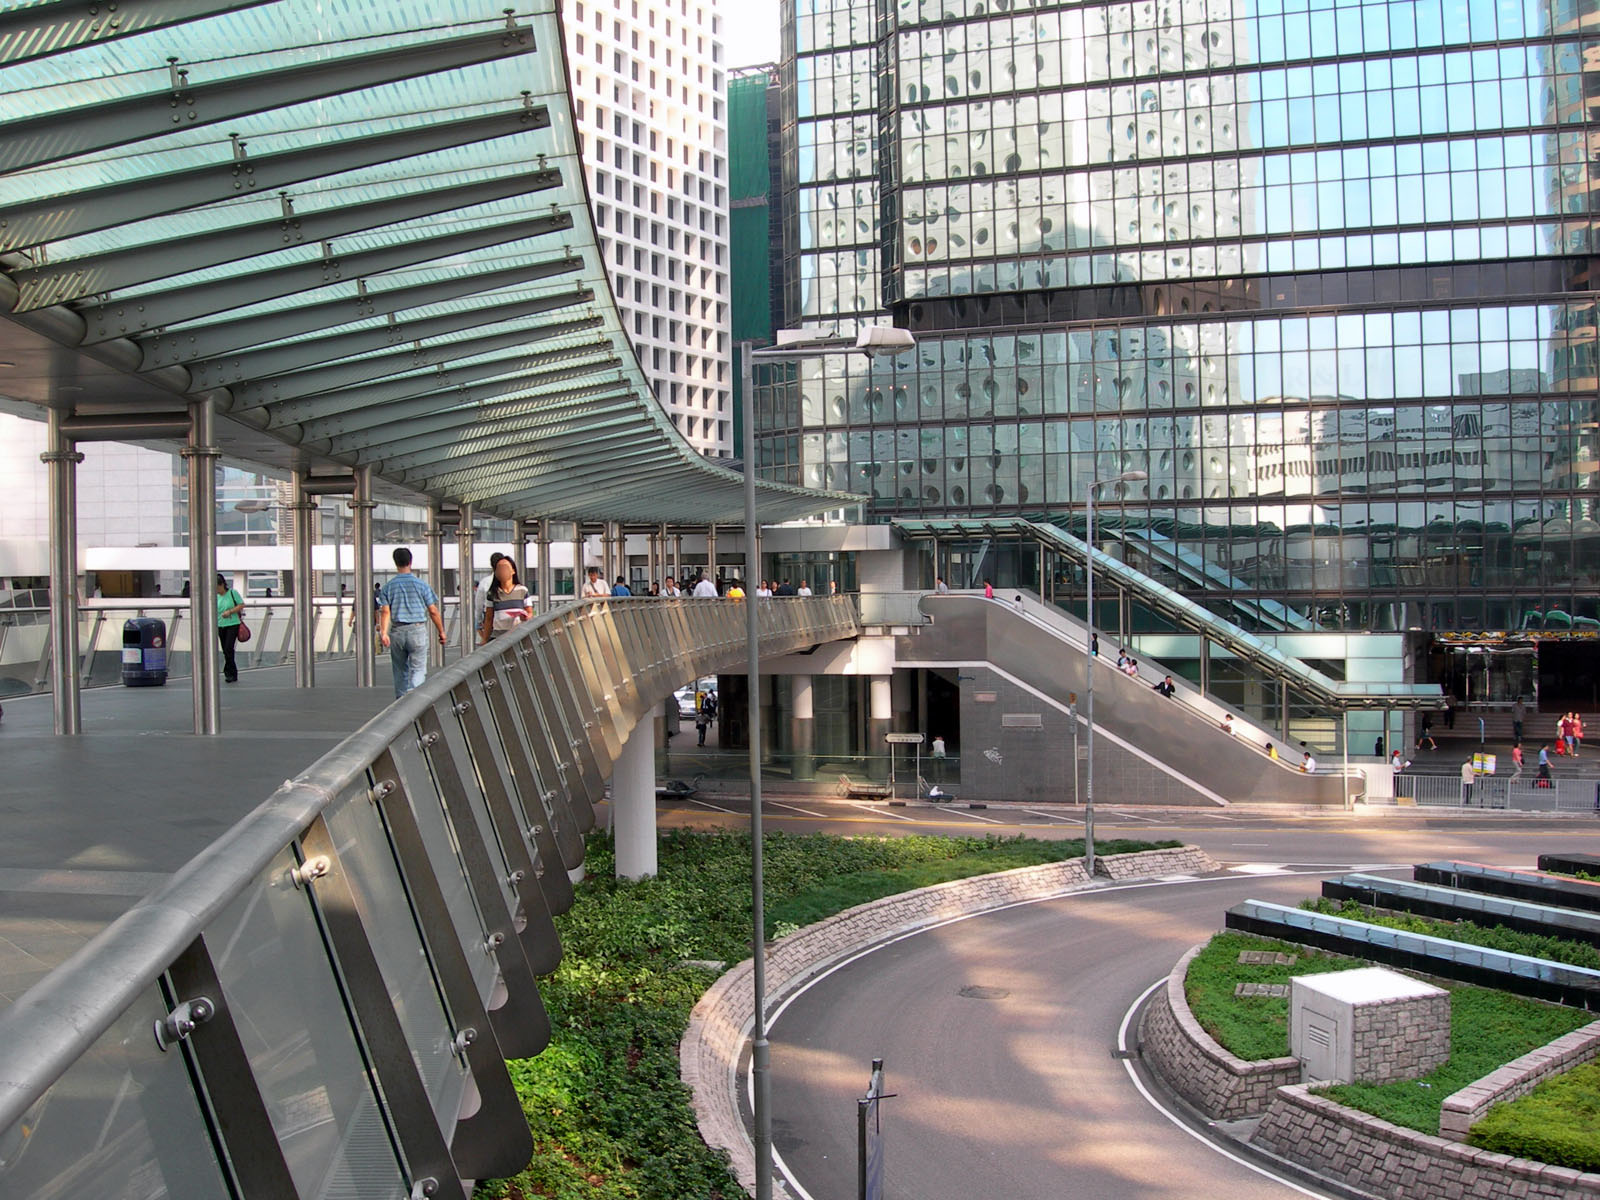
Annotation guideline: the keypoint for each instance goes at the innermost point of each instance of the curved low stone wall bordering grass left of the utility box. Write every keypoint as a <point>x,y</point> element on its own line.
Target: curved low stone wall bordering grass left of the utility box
<point>1193,1065</point>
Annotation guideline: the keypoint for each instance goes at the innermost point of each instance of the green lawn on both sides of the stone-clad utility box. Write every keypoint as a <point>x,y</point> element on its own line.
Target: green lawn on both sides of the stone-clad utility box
<point>1487,1028</point>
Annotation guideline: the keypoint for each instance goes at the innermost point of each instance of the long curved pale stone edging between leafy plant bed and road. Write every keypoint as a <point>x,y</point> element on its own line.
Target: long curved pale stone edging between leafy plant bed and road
<point>721,1023</point>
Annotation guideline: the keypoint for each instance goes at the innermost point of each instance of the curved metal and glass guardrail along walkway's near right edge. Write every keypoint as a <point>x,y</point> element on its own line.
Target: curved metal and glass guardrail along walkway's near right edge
<point>321,1002</point>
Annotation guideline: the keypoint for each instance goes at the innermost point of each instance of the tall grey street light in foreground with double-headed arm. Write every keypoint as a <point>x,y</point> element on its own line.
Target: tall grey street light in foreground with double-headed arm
<point>791,346</point>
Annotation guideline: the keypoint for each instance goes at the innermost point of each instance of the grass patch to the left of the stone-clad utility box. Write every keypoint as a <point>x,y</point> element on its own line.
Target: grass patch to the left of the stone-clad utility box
<point>1250,1026</point>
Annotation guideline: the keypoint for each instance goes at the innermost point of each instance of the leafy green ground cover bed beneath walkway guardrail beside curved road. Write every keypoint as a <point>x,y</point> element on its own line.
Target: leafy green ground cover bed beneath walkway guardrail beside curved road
<point>610,1118</point>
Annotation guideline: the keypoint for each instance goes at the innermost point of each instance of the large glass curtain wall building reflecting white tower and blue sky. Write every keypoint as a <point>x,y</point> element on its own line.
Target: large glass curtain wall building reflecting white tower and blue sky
<point>1324,271</point>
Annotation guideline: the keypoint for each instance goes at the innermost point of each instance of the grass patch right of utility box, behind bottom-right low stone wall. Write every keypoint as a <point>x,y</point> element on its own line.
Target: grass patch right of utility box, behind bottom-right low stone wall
<point>1487,1031</point>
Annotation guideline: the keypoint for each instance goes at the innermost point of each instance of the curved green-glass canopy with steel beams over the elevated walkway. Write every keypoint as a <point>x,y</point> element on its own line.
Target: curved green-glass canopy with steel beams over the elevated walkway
<point>362,228</point>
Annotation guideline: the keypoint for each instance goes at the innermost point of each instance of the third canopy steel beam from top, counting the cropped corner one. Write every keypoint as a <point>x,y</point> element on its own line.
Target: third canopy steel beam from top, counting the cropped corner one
<point>95,209</point>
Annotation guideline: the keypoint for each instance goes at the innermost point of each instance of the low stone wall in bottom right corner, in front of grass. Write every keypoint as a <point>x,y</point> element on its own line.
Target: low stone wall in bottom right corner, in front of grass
<point>1385,1159</point>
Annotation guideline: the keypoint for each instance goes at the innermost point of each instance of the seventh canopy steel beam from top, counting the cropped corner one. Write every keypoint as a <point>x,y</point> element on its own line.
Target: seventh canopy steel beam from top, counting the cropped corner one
<point>276,361</point>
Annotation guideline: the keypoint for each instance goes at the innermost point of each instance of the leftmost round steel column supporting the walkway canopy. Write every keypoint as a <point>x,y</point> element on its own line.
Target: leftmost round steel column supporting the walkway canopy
<point>63,458</point>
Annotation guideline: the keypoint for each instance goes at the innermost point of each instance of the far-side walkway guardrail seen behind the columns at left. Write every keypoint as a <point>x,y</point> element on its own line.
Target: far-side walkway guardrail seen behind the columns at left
<point>25,639</point>
